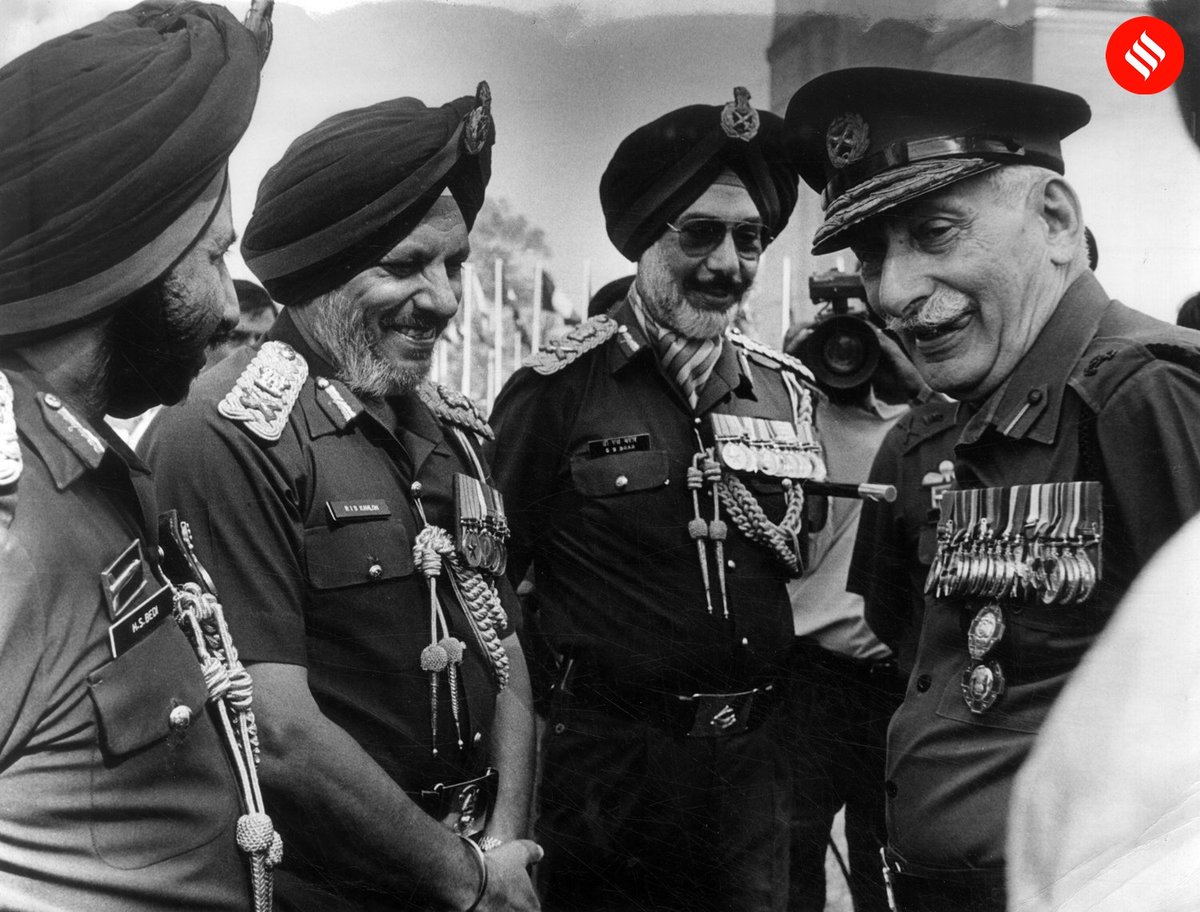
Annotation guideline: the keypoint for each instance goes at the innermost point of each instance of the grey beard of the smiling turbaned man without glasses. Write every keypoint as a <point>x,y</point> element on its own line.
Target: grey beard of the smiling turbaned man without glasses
<point>352,351</point>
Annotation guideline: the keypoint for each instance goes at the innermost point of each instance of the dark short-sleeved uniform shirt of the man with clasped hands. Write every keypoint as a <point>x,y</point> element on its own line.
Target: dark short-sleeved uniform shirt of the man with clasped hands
<point>340,597</point>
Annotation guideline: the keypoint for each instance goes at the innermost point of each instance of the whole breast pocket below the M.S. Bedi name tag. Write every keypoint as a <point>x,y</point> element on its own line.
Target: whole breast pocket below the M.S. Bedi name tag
<point>158,790</point>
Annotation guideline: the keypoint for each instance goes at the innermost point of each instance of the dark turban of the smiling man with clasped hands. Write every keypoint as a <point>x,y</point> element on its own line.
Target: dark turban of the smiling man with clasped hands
<point>350,190</point>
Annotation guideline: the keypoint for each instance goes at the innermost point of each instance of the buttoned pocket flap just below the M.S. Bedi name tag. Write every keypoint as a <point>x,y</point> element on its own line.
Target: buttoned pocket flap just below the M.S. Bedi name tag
<point>136,693</point>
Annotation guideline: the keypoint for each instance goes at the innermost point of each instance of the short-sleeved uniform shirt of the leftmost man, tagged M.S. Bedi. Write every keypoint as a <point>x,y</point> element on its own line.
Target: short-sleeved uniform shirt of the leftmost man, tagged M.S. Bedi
<point>104,807</point>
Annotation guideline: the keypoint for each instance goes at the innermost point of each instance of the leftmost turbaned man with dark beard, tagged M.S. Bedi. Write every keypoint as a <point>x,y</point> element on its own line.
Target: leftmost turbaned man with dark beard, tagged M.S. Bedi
<point>115,214</point>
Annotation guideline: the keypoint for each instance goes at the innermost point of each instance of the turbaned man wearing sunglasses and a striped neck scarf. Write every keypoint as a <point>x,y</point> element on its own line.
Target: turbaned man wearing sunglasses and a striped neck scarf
<point>667,603</point>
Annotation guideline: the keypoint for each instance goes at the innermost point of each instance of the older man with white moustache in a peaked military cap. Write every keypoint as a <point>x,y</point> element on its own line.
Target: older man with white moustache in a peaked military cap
<point>951,191</point>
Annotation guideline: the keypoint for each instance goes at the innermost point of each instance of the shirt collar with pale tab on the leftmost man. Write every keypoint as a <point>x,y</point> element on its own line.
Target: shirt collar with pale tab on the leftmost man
<point>68,445</point>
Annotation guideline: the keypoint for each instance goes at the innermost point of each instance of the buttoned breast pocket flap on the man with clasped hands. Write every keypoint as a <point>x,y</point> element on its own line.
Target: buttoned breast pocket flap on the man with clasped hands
<point>358,554</point>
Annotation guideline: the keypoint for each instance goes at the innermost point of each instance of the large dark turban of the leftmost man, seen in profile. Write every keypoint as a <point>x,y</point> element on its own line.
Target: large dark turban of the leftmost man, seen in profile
<point>113,155</point>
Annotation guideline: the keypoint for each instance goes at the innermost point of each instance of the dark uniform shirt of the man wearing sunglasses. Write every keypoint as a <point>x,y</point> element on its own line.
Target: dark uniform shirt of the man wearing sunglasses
<point>592,463</point>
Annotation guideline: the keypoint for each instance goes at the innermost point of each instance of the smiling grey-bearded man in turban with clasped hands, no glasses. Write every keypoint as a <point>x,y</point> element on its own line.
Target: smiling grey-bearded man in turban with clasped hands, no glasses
<point>391,687</point>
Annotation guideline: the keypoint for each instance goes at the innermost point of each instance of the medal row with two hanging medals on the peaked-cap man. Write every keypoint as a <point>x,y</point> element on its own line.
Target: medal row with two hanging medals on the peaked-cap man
<point>1010,548</point>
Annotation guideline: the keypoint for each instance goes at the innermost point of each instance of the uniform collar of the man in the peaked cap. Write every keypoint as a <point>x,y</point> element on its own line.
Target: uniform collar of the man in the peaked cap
<point>1029,403</point>
